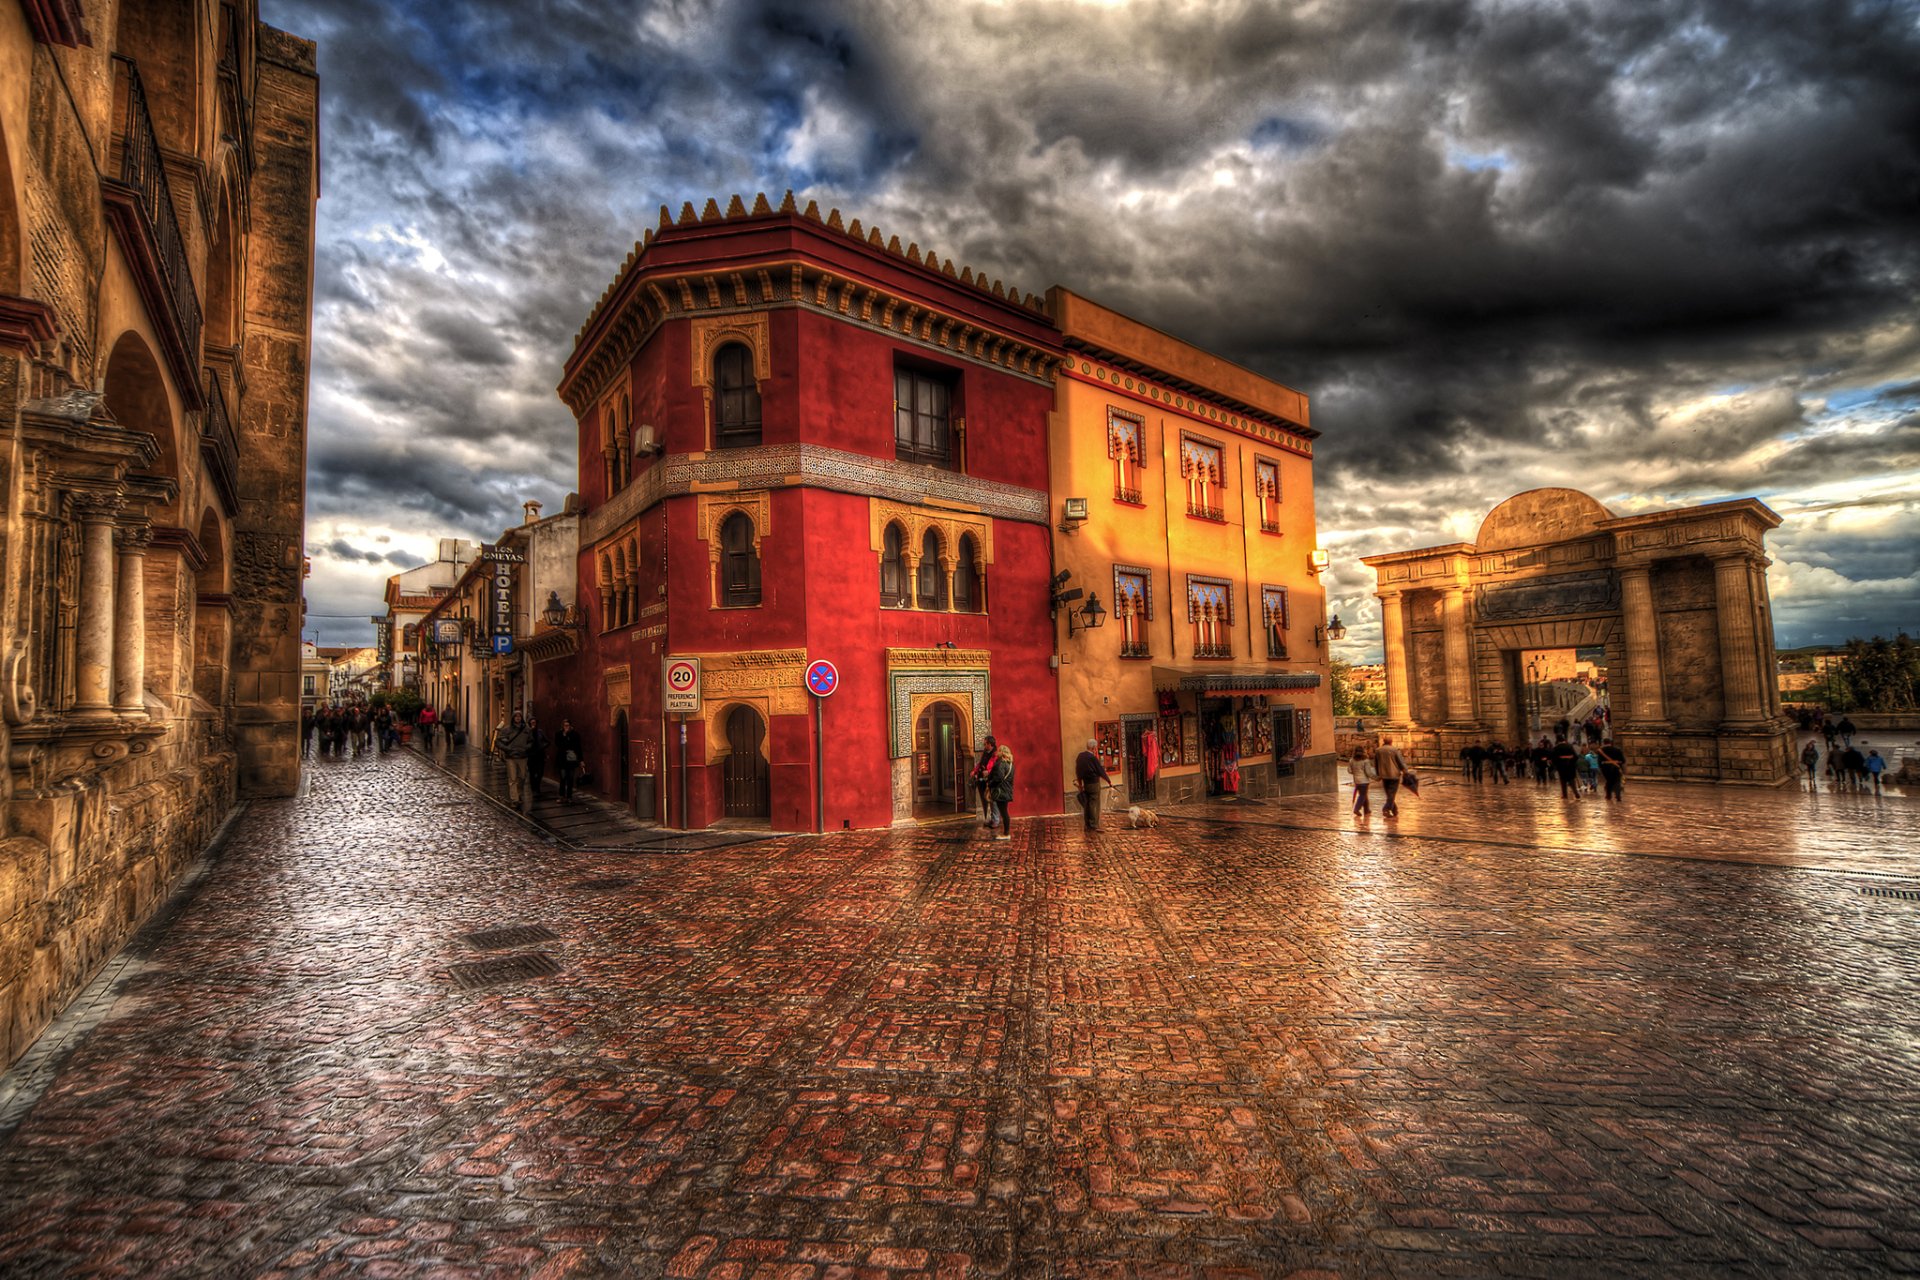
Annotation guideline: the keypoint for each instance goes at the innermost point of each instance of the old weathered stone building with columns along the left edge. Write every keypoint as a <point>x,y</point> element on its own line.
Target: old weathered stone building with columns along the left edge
<point>118,711</point>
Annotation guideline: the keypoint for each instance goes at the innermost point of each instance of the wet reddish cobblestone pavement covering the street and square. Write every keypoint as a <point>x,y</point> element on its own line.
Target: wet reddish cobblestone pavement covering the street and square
<point>395,1033</point>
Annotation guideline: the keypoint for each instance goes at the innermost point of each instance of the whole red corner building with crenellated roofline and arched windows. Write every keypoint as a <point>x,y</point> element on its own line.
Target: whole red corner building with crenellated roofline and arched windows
<point>804,442</point>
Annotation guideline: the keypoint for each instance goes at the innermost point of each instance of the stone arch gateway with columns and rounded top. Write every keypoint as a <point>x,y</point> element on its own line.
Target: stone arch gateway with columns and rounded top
<point>1677,600</point>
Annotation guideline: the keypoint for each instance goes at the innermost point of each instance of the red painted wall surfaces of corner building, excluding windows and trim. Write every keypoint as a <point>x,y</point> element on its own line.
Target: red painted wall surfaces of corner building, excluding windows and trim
<point>832,385</point>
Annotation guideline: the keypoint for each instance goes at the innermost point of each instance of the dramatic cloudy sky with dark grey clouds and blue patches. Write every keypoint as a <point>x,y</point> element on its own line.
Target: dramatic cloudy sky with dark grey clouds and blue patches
<point>1658,252</point>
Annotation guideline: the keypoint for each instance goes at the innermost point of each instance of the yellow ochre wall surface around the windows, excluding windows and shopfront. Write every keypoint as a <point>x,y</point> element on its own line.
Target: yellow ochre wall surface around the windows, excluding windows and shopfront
<point>1118,364</point>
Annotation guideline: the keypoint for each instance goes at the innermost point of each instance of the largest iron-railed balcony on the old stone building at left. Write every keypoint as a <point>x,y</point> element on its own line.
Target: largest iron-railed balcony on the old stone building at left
<point>139,204</point>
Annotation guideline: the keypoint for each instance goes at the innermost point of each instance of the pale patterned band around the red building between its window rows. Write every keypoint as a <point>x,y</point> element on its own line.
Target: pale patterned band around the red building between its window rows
<point>819,467</point>
